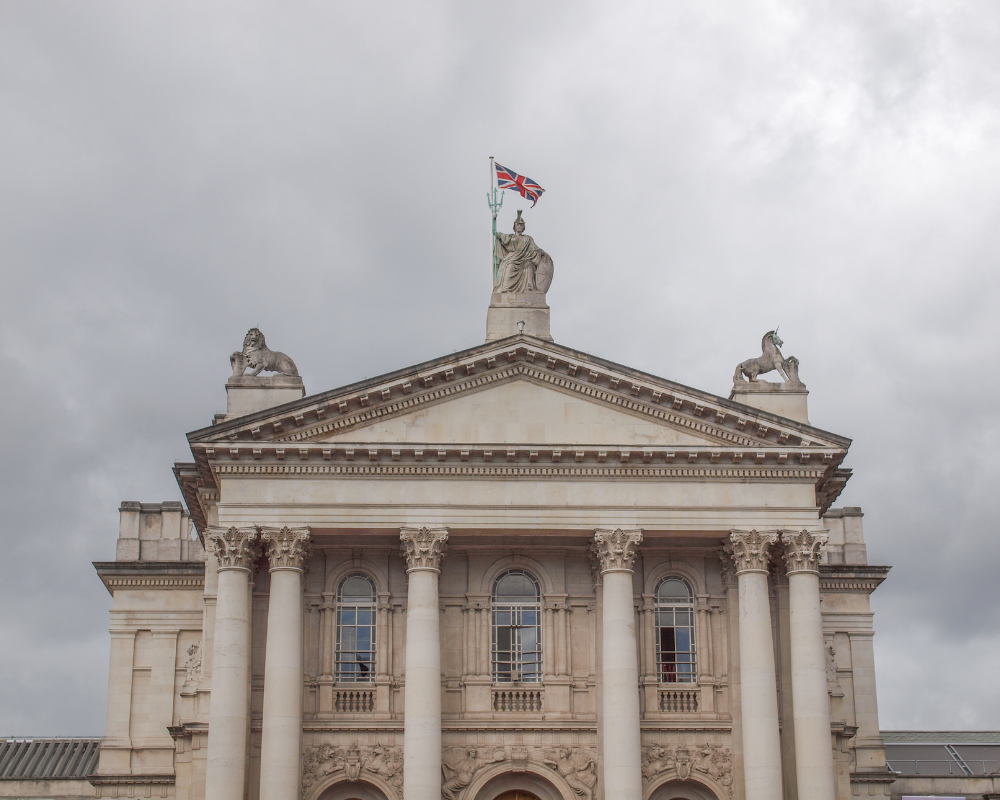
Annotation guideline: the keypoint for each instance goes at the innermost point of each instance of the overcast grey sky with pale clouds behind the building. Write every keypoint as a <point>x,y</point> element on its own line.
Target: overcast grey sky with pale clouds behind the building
<point>172,174</point>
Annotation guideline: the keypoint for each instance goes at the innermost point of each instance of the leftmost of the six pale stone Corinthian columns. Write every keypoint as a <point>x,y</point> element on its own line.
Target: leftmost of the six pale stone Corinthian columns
<point>236,550</point>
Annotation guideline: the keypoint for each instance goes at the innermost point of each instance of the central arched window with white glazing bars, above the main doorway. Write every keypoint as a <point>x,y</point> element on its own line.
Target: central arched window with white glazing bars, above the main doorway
<point>517,628</point>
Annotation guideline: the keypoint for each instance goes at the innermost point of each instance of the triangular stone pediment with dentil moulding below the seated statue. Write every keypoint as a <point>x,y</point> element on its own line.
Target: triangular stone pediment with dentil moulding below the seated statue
<point>519,390</point>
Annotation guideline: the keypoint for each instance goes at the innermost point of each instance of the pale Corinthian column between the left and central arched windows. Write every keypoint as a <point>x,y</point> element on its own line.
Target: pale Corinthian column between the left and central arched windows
<point>422,548</point>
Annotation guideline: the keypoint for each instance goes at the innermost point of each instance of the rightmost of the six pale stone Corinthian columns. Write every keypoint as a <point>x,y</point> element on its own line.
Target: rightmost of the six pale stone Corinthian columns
<point>810,702</point>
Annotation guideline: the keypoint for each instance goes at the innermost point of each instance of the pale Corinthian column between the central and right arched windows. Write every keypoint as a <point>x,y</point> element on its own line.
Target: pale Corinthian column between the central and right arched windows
<point>614,553</point>
